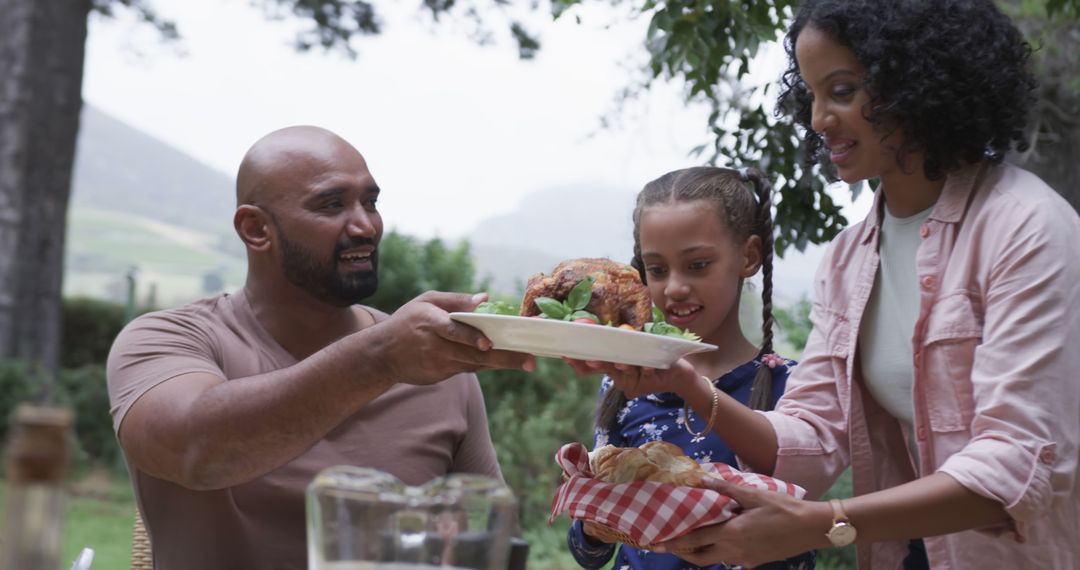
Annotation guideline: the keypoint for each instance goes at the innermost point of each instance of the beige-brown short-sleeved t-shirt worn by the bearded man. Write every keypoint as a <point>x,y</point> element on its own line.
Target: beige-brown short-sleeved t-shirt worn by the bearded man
<point>416,433</point>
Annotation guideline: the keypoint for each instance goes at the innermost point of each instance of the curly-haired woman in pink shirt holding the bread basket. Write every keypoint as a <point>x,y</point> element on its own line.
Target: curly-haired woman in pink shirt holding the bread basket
<point>940,368</point>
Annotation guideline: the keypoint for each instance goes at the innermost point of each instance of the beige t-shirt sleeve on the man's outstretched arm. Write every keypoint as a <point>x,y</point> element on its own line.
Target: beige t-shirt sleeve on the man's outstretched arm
<point>153,349</point>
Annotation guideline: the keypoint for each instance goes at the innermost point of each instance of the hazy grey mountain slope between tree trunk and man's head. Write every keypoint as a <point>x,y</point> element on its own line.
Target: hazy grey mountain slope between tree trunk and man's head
<point>121,169</point>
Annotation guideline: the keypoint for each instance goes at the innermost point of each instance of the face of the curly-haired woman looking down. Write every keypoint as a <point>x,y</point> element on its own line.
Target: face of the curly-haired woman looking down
<point>835,79</point>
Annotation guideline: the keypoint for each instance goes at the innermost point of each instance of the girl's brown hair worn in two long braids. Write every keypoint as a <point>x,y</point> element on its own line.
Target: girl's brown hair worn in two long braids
<point>746,210</point>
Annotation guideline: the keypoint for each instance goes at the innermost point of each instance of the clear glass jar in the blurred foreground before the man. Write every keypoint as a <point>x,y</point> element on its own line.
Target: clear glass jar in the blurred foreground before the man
<point>361,519</point>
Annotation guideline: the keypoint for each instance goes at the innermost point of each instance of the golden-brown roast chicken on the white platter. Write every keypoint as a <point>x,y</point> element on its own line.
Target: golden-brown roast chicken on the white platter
<point>619,297</point>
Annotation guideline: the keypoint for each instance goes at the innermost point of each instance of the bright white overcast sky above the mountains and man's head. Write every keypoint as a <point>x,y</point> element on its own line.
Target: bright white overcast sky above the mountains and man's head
<point>454,132</point>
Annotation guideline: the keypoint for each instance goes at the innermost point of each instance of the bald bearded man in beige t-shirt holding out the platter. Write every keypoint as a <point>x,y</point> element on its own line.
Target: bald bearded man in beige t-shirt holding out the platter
<point>226,409</point>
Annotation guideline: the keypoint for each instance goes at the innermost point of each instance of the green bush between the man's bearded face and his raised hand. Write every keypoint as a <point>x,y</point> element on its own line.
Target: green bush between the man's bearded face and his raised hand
<point>409,267</point>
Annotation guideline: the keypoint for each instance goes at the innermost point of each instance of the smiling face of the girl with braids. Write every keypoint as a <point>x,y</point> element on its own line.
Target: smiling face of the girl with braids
<point>695,267</point>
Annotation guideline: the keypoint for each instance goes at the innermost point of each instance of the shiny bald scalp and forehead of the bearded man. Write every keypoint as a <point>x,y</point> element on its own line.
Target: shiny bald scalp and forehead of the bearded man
<point>285,155</point>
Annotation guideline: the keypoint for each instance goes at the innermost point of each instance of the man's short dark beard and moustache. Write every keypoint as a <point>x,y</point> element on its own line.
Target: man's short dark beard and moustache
<point>321,278</point>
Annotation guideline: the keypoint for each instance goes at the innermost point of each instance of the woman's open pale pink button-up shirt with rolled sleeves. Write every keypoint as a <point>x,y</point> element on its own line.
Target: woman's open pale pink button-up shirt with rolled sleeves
<point>997,372</point>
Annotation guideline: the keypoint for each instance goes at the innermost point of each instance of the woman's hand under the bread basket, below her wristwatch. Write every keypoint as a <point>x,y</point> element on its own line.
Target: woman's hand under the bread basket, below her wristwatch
<point>771,526</point>
